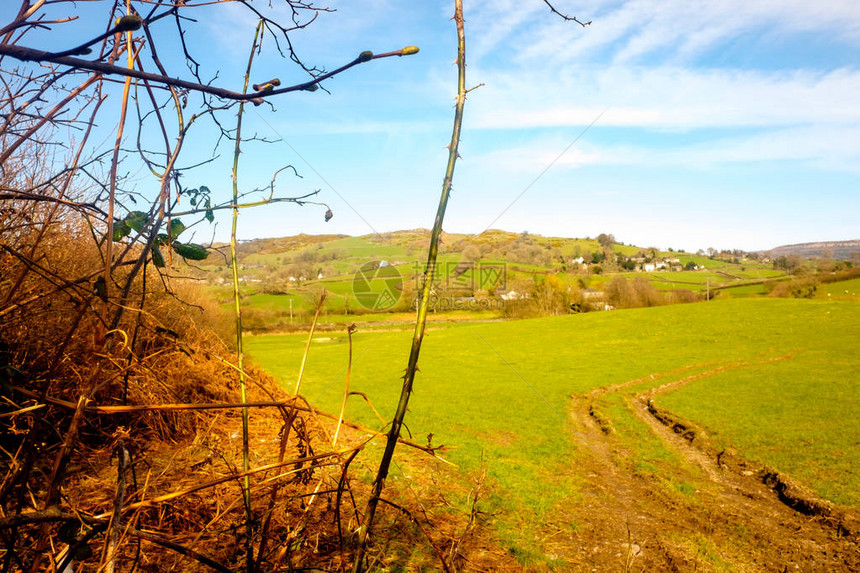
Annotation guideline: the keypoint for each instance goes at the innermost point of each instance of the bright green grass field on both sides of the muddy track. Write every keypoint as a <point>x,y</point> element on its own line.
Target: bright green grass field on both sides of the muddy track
<point>500,392</point>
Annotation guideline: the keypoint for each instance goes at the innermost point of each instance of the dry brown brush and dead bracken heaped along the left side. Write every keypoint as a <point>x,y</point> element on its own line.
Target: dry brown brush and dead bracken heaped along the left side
<point>125,452</point>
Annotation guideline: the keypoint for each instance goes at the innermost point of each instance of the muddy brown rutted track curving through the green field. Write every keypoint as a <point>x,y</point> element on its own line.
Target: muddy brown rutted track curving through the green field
<point>687,507</point>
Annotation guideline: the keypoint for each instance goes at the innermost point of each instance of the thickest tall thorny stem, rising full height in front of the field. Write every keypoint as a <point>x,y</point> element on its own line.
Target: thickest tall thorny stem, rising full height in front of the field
<point>421,321</point>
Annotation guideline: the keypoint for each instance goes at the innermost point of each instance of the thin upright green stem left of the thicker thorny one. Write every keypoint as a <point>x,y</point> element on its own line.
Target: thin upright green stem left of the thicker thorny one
<point>246,463</point>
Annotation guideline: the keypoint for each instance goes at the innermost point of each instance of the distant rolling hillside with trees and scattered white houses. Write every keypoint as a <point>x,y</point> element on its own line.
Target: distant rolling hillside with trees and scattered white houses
<point>283,278</point>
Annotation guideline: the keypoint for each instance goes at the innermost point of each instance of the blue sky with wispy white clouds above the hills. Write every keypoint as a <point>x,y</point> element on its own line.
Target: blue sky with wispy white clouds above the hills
<point>725,124</point>
